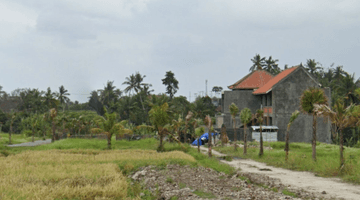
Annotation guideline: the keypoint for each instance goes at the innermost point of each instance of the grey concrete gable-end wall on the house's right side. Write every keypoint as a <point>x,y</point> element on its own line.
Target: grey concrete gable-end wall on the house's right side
<point>286,99</point>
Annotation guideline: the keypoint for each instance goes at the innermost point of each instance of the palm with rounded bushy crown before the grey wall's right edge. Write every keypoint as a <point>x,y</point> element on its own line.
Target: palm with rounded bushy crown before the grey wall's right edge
<point>308,98</point>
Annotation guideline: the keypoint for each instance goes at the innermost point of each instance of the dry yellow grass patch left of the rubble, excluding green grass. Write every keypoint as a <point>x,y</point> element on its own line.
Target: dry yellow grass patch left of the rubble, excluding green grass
<point>71,174</point>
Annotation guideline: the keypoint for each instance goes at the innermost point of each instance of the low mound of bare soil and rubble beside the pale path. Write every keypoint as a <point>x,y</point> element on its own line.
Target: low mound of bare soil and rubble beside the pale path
<point>185,182</point>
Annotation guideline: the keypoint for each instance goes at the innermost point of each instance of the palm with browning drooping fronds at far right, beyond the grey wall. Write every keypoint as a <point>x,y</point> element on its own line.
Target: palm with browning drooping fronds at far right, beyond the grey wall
<point>342,117</point>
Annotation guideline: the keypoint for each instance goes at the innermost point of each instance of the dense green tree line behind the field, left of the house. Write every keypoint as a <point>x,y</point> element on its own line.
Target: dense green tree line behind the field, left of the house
<point>33,113</point>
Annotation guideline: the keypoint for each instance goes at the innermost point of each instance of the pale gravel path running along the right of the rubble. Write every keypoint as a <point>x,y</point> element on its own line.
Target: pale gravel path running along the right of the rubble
<point>326,187</point>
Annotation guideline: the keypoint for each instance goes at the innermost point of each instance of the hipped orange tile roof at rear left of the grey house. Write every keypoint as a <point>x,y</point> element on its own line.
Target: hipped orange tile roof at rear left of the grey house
<point>255,79</point>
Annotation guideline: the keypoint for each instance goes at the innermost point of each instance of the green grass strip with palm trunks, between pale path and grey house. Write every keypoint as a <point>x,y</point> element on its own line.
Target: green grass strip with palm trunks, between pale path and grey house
<point>300,159</point>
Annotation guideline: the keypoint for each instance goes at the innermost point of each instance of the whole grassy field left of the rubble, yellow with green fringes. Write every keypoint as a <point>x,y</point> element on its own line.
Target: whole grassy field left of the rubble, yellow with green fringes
<point>83,169</point>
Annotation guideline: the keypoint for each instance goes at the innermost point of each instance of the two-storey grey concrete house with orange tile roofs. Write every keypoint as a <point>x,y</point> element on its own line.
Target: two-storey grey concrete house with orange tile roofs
<point>279,96</point>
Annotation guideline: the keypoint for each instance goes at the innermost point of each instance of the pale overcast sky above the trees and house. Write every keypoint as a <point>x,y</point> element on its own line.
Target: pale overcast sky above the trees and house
<point>83,44</point>
